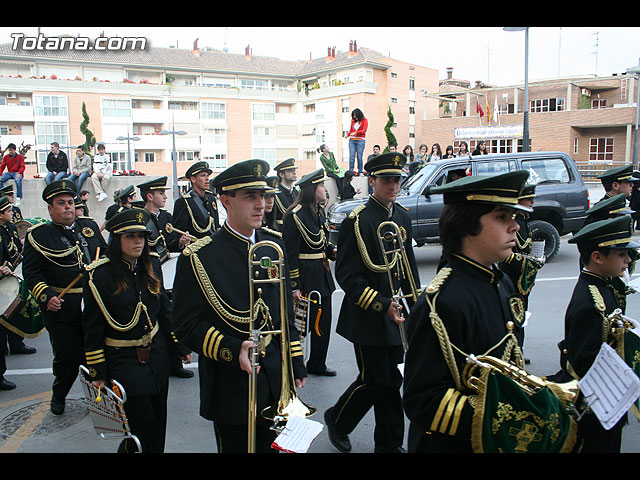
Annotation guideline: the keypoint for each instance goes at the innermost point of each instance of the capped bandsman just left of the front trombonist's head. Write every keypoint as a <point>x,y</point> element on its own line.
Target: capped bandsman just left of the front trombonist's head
<point>196,212</point>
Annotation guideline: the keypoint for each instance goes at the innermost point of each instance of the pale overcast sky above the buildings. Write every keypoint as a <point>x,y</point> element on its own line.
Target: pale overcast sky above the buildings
<point>488,54</point>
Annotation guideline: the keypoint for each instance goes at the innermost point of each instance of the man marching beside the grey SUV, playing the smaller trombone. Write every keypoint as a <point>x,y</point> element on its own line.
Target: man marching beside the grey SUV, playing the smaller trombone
<point>369,317</point>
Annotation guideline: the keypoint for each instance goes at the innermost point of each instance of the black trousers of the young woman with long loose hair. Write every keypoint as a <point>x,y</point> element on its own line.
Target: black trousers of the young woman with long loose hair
<point>147,415</point>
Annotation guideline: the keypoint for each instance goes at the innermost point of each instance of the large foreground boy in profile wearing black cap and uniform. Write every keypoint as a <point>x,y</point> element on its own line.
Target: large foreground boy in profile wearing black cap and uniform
<point>469,307</point>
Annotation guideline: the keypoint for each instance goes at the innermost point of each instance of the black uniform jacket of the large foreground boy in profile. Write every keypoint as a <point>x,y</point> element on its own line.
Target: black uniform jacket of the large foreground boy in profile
<point>473,304</point>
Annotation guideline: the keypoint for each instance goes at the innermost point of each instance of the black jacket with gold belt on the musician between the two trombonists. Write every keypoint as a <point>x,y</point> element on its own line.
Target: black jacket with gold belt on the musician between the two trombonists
<point>305,233</point>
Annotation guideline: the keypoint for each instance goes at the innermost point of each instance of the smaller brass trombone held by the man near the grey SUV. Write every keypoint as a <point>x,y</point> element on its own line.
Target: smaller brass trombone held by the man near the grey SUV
<point>397,265</point>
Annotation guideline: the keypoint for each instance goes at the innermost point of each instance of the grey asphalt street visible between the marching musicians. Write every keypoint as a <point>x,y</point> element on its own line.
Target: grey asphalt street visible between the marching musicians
<point>26,425</point>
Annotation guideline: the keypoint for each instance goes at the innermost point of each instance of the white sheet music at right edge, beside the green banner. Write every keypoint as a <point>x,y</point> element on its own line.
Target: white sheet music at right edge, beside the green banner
<point>610,387</point>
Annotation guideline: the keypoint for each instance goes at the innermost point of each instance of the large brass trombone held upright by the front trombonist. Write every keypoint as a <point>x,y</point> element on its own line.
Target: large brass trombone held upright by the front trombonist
<point>289,402</point>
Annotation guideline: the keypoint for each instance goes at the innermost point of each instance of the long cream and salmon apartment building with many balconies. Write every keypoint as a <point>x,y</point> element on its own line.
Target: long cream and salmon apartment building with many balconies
<point>206,104</point>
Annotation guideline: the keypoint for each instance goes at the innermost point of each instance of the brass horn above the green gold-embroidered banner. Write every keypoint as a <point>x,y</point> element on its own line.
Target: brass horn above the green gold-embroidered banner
<point>567,392</point>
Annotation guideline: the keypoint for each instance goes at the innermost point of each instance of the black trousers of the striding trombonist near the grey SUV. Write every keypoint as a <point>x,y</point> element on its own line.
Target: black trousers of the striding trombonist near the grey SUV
<point>377,385</point>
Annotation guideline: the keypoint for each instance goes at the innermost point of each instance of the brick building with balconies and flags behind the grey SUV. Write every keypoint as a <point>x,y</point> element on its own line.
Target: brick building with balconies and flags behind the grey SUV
<point>592,118</point>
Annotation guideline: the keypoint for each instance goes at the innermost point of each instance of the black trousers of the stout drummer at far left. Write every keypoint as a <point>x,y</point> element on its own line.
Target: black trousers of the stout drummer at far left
<point>67,341</point>
